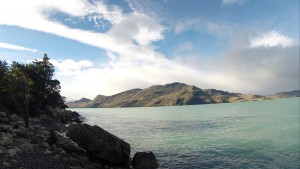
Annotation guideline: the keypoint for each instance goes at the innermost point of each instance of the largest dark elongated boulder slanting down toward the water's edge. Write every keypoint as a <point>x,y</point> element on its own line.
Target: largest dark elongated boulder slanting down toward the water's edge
<point>100,143</point>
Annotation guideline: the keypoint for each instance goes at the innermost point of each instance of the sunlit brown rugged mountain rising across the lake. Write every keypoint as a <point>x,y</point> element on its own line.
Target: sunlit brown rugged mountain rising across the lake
<point>165,95</point>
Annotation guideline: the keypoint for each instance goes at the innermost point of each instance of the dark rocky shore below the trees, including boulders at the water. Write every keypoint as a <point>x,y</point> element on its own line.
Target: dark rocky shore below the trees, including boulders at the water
<point>58,139</point>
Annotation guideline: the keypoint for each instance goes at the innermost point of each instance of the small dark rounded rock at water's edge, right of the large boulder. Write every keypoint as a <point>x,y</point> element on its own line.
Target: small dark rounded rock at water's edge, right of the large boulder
<point>144,160</point>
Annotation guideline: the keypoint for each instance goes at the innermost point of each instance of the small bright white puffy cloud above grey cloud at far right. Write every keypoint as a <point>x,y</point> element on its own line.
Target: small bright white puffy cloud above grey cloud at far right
<point>272,39</point>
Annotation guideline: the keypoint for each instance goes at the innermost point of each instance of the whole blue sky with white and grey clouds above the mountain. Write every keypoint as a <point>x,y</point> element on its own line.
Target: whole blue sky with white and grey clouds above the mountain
<point>109,46</point>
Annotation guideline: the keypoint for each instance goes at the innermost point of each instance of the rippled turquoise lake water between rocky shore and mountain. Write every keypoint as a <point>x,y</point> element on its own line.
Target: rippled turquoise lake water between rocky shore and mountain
<point>261,134</point>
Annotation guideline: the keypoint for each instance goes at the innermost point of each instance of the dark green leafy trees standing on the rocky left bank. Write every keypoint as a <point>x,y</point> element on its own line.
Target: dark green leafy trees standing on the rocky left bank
<point>29,88</point>
